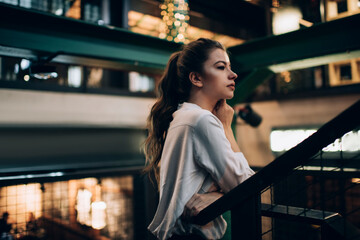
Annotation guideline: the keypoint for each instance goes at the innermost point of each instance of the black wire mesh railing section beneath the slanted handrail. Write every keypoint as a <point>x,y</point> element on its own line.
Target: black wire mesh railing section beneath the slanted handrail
<point>318,200</point>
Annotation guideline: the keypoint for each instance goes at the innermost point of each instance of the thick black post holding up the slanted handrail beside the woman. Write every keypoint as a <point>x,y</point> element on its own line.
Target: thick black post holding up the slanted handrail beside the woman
<point>246,220</point>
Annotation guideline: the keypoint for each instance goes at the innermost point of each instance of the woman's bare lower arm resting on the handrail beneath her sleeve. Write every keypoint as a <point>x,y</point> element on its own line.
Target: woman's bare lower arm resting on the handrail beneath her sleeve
<point>199,202</point>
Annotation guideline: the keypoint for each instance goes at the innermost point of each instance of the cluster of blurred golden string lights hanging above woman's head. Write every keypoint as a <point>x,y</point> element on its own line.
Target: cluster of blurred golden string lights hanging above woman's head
<point>175,20</point>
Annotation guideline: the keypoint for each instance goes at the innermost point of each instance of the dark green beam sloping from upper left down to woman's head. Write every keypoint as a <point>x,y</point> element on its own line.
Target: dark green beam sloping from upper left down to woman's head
<point>44,33</point>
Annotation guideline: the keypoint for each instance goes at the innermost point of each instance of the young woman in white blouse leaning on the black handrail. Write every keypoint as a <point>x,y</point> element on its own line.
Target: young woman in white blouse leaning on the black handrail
<point>191,141</point>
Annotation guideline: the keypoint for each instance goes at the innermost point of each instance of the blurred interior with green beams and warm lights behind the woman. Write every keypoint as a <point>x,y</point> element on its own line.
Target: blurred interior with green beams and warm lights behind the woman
<point>78,78</point>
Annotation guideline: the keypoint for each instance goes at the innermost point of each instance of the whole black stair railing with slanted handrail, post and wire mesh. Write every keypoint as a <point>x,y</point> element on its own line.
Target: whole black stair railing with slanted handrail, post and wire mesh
<point>309,192</point>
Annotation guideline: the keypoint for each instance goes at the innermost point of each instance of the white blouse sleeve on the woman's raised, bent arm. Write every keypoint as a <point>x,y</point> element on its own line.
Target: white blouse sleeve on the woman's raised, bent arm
<point>213,152</point>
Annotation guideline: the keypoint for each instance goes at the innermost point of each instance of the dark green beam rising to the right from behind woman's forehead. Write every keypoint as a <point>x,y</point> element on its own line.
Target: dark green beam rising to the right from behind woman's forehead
<point>317,45</point>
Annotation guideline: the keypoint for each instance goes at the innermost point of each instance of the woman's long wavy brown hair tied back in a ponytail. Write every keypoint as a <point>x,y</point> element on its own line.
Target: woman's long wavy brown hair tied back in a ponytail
<point>174,88</point>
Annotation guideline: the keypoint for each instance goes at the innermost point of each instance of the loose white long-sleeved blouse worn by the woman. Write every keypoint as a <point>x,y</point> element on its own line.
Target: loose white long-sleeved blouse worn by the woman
<point>196,155</point>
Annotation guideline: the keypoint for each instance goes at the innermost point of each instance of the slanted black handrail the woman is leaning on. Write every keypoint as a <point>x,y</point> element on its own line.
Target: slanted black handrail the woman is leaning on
<point>283,165</point>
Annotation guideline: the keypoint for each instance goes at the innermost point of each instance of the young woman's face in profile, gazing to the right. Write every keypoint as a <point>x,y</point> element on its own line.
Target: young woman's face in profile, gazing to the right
<point>218,79</point>
